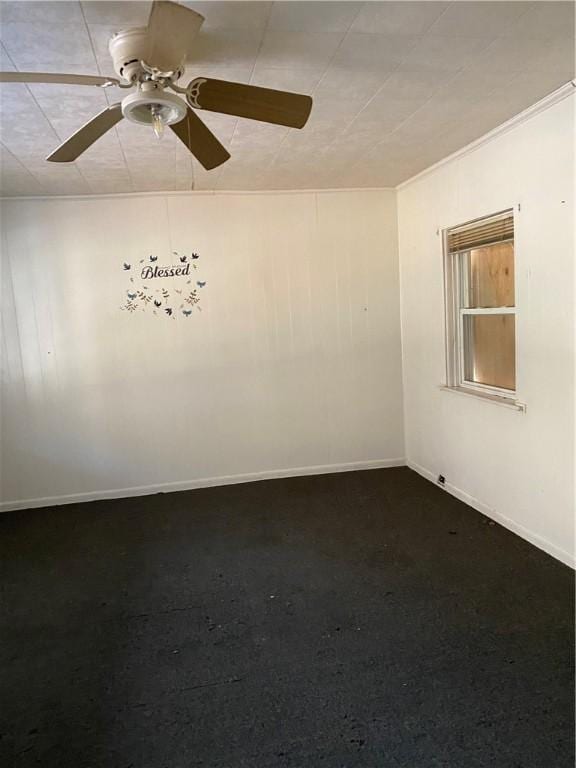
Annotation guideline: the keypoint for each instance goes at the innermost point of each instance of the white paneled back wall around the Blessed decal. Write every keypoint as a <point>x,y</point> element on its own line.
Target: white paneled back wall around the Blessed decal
<point>294,364</point>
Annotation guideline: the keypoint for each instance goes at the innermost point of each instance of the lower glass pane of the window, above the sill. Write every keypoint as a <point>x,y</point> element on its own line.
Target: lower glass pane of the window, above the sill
<point>489,344</point>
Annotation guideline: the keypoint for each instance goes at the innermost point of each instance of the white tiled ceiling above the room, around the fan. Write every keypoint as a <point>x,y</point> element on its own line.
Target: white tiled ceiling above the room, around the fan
<point>396,87</point>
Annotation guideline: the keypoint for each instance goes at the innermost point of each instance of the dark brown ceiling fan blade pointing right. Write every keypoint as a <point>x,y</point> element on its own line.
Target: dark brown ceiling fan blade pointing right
<point>278,107</point>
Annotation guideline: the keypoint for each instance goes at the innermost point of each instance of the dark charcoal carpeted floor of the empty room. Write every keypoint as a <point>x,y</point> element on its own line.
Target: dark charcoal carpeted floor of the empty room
<point>366,619</point>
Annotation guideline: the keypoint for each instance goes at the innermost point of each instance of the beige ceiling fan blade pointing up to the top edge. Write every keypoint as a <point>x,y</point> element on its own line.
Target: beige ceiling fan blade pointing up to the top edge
<point>171,29</point>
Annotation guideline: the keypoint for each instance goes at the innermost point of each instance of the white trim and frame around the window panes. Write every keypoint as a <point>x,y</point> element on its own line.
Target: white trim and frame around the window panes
<point>454,324</point>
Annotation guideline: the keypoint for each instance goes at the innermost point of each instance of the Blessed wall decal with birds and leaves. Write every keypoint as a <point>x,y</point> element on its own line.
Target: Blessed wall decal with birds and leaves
<point>166,290</point>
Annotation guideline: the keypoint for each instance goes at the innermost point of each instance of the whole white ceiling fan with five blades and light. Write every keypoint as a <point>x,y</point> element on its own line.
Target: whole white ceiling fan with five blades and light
<point>151,60</point>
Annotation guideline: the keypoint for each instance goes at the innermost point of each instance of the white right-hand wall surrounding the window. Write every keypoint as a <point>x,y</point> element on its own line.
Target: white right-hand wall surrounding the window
<point>519,468</point>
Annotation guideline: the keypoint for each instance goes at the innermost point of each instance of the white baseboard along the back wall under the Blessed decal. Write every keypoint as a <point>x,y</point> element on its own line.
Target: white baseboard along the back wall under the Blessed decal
<point>205,482</point>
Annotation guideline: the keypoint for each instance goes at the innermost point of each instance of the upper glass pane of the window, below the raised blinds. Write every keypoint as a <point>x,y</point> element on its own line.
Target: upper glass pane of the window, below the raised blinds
<point>489,276</point>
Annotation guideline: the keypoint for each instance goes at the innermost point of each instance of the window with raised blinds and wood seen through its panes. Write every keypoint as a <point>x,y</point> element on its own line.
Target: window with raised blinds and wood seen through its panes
<point>481,307</point>
